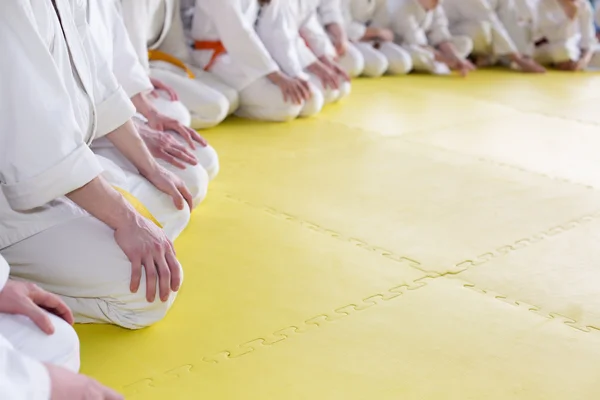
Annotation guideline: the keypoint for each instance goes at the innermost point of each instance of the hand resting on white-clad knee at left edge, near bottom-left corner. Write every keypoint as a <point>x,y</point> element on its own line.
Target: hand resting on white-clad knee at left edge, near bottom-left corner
<point>24,298</point>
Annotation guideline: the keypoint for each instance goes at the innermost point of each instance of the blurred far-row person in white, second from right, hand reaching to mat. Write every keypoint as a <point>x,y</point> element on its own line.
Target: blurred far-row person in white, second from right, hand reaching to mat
<point>484,22</point>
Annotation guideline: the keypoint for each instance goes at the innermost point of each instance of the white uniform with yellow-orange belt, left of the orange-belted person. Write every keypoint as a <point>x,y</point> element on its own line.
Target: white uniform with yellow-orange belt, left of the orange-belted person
<point>156,25</point>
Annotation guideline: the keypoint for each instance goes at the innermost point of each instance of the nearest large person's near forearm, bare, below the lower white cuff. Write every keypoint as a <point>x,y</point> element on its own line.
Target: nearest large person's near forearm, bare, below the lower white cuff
<point>103,202</point>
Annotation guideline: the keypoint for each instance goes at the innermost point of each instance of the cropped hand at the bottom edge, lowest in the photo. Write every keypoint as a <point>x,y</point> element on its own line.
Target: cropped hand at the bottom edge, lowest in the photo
<point>68,385</point>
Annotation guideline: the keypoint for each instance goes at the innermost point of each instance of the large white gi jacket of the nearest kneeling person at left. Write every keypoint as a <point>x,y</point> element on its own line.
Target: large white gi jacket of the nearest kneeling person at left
<point>58,95</point>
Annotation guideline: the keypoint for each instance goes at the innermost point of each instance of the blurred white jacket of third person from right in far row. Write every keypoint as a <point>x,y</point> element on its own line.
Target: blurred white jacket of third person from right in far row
<point>415,26</point>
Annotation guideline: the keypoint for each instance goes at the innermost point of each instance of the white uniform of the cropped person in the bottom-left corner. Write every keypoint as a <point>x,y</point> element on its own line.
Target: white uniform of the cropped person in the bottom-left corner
<point>23,349</point>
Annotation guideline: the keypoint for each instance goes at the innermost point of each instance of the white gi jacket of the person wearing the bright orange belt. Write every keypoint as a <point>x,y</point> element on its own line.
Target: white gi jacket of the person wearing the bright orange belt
<point>232,22</point>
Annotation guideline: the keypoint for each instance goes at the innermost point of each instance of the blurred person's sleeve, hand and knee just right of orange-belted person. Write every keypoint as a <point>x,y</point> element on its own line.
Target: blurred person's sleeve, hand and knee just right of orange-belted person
<point>331,17</point>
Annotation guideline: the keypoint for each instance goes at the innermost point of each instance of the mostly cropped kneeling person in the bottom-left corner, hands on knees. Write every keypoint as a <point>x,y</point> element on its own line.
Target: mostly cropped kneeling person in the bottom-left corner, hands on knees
<point>38,347</point>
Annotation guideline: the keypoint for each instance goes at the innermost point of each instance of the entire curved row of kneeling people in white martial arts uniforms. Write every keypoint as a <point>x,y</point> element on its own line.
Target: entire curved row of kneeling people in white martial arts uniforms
<point>101,163</point>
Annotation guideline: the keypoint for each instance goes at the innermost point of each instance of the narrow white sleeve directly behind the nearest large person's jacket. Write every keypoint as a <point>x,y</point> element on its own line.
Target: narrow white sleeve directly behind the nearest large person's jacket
<point>126,65</point>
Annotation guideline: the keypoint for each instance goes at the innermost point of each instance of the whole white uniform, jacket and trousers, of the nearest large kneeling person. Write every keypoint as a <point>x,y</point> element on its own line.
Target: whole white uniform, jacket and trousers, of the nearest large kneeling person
<point>58,95</point>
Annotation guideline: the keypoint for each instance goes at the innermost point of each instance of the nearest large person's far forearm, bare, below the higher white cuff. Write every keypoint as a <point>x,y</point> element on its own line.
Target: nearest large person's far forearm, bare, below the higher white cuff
<point>128,141</point>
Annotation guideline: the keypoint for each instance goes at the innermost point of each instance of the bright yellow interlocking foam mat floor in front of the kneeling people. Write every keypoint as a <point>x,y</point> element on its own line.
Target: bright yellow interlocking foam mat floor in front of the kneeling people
<point>428,238</point>
